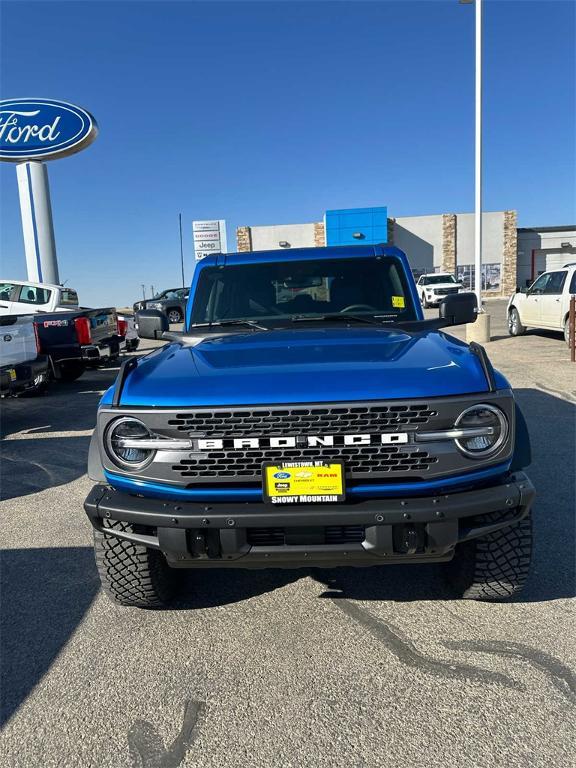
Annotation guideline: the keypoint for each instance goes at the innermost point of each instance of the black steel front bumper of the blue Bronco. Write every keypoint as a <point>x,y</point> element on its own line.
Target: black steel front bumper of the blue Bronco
<point>256,535</point>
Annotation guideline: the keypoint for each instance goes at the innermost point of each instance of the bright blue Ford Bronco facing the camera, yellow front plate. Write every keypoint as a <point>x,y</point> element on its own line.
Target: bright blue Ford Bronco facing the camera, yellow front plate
<point>309,416</point>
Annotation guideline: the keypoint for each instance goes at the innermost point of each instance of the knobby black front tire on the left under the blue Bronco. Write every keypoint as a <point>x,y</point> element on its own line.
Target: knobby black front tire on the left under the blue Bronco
<point>132,574</point>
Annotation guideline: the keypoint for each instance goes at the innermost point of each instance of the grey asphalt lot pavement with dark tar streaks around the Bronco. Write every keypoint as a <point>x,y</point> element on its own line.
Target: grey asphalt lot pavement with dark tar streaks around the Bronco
<point>343,668</point>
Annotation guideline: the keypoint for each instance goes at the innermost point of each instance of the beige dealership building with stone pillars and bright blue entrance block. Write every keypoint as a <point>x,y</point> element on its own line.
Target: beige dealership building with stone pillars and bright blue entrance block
<point>511,256</point>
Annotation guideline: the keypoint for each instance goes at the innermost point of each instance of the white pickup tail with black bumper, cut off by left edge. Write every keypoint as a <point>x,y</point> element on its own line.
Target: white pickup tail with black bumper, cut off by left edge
<point>22,366</point>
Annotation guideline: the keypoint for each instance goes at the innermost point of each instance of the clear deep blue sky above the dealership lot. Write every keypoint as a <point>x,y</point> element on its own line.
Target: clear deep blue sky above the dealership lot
<point>272,112</point>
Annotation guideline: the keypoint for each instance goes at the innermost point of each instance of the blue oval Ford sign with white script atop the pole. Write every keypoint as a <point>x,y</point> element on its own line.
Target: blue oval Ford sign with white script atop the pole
<point>42,129</point>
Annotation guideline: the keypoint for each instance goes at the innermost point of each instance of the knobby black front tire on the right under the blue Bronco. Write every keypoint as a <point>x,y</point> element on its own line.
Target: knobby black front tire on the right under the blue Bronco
<point>494,567</point>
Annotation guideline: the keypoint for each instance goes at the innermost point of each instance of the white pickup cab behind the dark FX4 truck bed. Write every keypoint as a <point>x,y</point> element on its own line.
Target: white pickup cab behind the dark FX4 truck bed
<point>20,297</point>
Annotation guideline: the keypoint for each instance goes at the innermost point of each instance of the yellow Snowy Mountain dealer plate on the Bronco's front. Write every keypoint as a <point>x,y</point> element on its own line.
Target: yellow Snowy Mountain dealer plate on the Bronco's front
<point>303,482</point>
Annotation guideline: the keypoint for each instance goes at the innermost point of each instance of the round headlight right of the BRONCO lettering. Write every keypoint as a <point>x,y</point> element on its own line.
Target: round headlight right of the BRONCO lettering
<point>484,428</point>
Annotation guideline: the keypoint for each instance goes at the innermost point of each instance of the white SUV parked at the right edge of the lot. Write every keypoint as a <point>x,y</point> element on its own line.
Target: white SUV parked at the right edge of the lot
<point>545,304</point>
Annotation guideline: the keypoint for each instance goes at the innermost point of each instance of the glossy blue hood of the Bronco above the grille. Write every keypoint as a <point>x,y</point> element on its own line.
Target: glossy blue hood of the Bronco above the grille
<point>304,365</point>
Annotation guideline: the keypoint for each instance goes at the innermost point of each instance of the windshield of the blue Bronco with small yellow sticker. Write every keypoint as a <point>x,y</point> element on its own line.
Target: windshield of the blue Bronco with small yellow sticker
<point>276,292</point>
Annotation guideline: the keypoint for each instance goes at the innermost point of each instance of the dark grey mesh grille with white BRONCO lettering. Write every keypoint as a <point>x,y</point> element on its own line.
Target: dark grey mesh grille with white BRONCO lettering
<point>229,444</point>
